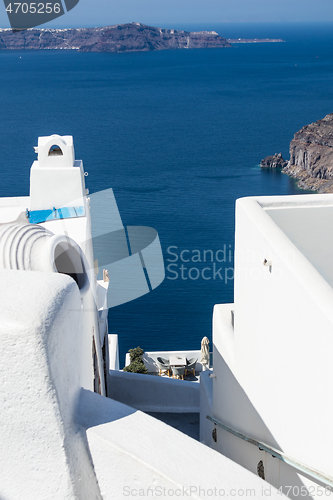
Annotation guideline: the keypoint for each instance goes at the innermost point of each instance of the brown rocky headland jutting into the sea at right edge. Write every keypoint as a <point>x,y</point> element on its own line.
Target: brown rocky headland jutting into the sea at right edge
<point>311,156</point>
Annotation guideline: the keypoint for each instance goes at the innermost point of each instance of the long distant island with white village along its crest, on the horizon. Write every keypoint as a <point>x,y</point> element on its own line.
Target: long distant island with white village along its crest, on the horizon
<point>119,38</point>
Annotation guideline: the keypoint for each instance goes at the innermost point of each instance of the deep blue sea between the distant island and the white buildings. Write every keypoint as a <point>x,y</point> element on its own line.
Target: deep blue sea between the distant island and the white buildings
<point>179,136</point>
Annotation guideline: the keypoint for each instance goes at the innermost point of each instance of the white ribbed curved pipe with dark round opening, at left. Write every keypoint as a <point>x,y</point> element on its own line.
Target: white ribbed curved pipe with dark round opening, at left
<point>30,247</point>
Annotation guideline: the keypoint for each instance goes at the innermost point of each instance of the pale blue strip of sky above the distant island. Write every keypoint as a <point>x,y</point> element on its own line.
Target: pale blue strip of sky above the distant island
<point>90,13</point>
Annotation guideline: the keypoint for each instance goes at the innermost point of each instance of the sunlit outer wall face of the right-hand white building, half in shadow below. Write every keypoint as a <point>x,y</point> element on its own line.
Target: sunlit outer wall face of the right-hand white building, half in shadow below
<point>273,377</point>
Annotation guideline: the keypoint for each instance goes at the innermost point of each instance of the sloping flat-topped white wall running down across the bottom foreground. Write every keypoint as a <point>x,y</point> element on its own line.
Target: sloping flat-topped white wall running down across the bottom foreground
<point>137,456</point>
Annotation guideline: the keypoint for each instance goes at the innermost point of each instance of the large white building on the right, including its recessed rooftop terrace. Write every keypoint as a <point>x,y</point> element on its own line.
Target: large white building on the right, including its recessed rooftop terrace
<point>271,406</point>
